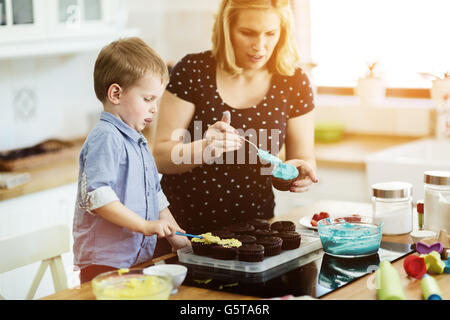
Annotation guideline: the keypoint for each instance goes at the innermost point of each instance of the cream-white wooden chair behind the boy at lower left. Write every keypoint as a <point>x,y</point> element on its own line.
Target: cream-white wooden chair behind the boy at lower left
<point>45,245</point>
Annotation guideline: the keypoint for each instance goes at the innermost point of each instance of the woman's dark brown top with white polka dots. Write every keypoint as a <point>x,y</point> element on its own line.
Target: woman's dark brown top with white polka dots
<point>237,187</point>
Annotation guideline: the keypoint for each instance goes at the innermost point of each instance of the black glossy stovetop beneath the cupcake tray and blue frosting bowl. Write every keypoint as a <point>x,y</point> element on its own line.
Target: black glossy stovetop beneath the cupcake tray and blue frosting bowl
<point>315,274</point>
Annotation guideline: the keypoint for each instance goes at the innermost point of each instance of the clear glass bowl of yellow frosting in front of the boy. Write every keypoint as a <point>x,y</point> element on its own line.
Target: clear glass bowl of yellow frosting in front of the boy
<point>132,285</point>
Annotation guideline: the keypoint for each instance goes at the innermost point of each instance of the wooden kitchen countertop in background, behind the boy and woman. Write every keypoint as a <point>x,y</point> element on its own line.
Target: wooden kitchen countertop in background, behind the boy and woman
<point>349,152</point>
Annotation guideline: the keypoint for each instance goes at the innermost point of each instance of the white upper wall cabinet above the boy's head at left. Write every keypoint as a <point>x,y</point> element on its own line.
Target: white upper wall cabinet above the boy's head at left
<point>34,27</point>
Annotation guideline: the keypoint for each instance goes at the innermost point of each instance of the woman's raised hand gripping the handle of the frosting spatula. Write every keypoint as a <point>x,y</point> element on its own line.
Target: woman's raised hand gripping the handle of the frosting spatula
<point>220,138</point>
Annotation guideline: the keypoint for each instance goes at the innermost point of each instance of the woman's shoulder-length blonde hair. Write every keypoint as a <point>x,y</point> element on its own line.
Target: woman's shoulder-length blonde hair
<point>285,55</point>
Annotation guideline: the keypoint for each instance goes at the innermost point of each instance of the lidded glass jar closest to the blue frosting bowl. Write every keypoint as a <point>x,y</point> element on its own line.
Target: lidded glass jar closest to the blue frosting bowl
<point>393,206</point>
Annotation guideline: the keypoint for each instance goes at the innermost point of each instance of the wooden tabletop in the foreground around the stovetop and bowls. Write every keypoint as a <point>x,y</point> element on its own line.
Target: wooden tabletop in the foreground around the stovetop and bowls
<point>361,289</point>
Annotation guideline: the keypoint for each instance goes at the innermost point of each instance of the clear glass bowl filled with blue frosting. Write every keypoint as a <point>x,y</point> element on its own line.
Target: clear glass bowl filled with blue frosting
<point>354,239</point>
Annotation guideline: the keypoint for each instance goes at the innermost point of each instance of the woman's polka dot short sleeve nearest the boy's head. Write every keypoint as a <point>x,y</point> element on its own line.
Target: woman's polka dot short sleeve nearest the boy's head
<point>184,78</point>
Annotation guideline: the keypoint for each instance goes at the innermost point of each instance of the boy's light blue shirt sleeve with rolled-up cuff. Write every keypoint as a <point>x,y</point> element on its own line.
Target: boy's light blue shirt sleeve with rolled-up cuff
<point>101,169</point>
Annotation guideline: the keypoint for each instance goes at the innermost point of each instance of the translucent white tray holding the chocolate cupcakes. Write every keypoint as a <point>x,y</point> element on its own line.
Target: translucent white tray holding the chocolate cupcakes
<point>307,245</point>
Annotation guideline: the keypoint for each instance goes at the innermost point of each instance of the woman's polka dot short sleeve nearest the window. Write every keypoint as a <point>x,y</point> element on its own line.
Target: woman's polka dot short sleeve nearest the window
<point>301,95</point>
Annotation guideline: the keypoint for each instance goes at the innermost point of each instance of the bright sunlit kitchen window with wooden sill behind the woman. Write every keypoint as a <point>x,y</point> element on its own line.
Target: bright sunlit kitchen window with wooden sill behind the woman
<point>405,37</point>
